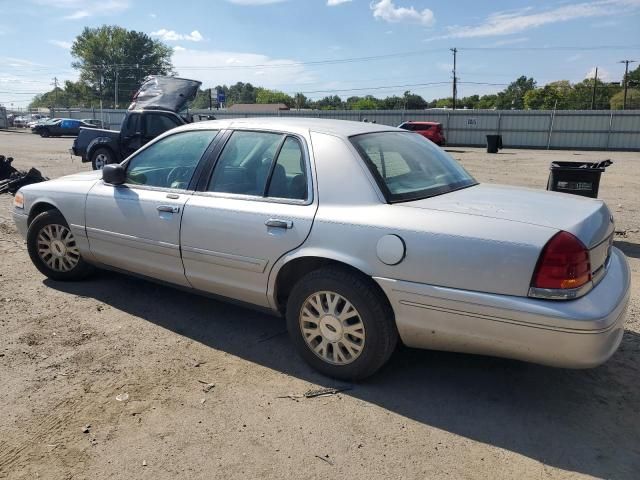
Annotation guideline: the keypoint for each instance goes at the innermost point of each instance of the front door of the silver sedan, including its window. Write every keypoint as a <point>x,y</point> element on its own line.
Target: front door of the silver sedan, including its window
<point>136,226</point>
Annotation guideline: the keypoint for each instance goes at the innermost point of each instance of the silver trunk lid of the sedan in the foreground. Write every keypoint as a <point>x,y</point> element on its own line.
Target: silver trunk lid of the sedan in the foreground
<point>586,218</point>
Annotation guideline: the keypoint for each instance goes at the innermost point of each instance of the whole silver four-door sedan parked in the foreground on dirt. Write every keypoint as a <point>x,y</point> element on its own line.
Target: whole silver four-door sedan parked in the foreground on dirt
<point>359,234</point>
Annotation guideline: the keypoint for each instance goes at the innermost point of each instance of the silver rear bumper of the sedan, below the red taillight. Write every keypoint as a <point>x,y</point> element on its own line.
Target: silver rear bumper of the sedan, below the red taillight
<point>580,333</point>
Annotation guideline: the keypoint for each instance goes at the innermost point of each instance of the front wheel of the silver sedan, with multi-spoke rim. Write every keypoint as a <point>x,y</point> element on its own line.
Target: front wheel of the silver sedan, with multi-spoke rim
<point>53,248</point>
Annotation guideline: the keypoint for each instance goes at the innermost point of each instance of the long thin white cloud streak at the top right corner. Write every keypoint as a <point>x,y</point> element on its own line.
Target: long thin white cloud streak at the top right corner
<point>507,23</point>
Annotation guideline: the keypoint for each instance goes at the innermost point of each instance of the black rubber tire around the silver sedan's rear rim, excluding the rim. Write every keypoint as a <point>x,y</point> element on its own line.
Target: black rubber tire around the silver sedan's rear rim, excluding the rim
<point>374,311</point>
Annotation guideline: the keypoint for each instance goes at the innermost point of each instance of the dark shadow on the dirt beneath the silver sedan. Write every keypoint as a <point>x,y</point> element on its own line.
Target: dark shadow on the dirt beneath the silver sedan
<point>571,420</point>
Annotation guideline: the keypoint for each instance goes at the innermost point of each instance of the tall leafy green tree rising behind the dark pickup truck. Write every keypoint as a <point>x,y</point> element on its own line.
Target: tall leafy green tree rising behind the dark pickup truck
<point>102,53</point>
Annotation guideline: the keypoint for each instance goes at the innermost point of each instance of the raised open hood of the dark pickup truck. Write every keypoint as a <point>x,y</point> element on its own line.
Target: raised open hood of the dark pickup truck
<point>165,93</point>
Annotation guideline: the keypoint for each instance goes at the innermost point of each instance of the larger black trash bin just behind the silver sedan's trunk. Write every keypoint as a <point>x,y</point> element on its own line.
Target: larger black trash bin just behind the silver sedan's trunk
<point>578,178</point>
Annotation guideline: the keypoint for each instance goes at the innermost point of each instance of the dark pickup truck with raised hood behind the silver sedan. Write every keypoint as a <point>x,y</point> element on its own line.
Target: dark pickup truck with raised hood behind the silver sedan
<point>152,112</point>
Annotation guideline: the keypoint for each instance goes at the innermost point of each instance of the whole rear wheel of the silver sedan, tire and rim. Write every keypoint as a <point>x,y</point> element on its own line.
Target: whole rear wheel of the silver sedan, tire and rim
<point>340,324</point>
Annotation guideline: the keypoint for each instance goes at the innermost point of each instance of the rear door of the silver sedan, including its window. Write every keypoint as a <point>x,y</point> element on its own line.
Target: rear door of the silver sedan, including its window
<point>257,205</point>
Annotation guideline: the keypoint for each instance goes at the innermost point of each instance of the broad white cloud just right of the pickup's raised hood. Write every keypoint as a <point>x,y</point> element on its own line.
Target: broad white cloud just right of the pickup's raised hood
<point>281,74</point>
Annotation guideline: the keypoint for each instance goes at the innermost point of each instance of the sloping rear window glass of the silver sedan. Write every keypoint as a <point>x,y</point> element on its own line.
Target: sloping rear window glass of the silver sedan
<point>407,166</point>
